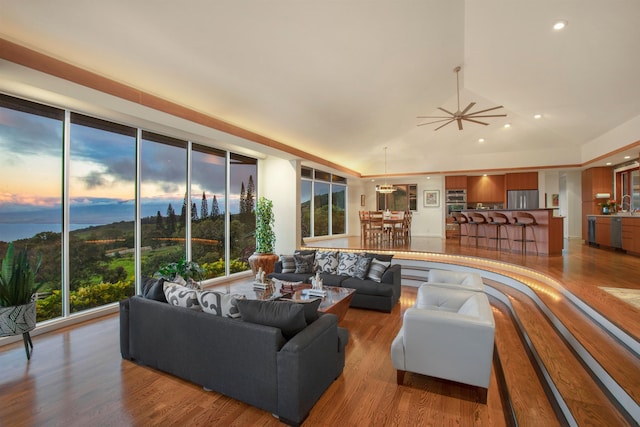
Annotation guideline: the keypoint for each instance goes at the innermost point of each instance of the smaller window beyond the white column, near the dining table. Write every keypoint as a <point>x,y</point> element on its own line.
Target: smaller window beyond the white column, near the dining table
<point>323,203</point>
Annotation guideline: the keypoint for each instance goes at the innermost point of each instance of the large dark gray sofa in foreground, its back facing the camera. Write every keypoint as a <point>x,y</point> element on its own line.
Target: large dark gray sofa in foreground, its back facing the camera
<point>251,362</point>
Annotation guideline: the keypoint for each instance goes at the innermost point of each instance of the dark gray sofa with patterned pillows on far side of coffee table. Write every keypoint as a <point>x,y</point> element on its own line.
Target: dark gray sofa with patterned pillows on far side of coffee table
<point>376,292</point>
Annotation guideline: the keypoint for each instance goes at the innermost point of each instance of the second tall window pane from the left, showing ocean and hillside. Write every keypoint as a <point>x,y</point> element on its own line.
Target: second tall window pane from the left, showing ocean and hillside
<point>102,182</point>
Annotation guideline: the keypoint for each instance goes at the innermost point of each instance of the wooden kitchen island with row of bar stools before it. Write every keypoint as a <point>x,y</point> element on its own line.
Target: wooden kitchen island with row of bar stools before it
<point>549,231</point>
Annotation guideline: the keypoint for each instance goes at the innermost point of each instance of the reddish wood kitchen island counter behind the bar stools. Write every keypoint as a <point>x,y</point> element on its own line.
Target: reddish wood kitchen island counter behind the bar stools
<point>549,232</point>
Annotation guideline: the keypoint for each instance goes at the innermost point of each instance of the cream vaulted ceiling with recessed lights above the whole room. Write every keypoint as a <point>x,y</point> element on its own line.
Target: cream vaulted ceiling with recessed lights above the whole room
<point>342,79</point>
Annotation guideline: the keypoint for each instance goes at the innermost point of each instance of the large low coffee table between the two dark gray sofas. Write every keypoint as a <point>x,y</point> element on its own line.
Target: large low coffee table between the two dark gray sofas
<point>336,300</point>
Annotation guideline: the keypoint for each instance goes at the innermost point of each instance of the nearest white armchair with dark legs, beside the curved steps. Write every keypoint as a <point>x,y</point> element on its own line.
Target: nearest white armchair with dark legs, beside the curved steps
<point>449,334</point>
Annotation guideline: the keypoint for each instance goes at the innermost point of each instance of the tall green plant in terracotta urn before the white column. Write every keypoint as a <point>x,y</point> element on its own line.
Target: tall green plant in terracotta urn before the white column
<point>263,257</point>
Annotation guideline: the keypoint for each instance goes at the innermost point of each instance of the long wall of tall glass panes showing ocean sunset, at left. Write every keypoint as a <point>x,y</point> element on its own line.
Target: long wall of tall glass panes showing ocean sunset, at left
<point>62,168</point>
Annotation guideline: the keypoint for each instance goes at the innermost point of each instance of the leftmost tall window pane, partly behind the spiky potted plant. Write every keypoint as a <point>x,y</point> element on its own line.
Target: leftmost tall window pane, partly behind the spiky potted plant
<point>31,147</point>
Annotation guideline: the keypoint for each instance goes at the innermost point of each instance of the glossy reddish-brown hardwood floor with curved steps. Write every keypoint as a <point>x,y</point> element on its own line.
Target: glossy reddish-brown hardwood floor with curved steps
<point>76,376</point>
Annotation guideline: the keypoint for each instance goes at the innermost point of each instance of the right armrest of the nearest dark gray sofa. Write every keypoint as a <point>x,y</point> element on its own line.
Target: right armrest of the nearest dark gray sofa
<point>307,365</point>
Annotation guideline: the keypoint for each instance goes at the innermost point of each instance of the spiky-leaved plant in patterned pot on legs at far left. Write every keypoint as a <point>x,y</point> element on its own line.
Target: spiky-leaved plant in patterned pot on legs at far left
<point>17,295</point>
